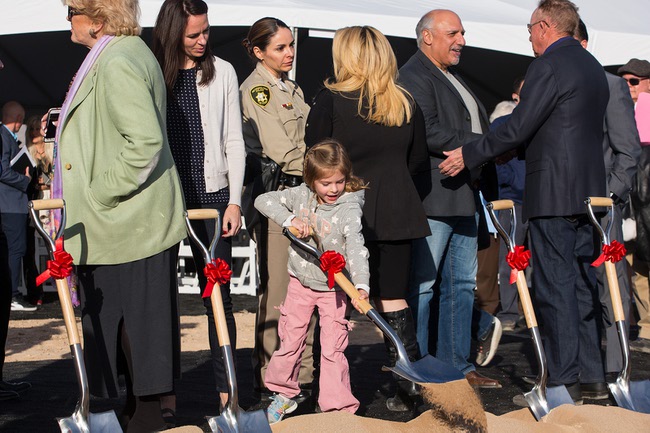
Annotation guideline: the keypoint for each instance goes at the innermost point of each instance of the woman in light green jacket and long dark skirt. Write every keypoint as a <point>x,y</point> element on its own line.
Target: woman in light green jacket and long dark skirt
<point>114,168</point>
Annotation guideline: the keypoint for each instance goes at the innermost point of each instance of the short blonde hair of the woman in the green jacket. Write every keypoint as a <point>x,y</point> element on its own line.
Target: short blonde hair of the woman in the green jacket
<point>120,17</point>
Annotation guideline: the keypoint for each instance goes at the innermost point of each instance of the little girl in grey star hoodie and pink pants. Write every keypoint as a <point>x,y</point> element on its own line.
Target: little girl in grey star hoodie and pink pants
<point>328,203</point>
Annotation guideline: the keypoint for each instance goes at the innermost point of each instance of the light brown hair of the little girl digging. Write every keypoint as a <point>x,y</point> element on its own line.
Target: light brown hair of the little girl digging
<point>326,157</point>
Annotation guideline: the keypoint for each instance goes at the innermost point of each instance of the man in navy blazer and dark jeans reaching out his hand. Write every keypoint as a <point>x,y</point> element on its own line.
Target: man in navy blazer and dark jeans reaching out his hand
<point>559,121</point>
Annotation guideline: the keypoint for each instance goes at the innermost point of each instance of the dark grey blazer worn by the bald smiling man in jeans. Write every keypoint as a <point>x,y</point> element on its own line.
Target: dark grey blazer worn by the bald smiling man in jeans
<point>448,127</point>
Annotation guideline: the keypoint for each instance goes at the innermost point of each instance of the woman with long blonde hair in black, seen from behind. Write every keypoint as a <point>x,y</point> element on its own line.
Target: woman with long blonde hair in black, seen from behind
<point>383,131</point>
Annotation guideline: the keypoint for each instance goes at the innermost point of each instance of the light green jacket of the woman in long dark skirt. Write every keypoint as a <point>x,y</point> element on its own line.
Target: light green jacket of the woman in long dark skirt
<point>123,196</point>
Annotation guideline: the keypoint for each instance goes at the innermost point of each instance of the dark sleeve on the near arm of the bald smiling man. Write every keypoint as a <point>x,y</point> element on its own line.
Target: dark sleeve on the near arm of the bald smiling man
<point>440,137</point>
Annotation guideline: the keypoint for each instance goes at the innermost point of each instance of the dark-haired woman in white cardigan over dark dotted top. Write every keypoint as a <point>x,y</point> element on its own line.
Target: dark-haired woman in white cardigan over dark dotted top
<point>205,136</point>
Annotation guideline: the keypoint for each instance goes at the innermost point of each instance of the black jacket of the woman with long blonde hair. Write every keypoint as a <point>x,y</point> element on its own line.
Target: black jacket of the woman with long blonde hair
<point>388,158</point>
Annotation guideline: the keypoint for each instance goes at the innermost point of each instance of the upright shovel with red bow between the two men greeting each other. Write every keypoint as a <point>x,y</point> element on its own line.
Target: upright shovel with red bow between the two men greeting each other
<point>541,399</point>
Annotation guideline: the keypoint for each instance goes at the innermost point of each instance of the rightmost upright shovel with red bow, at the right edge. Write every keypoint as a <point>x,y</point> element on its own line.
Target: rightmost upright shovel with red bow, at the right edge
<point>635,395</point>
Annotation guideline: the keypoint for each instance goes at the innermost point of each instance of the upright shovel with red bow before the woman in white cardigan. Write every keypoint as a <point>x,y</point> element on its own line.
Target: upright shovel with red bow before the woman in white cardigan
<point>232,418</point>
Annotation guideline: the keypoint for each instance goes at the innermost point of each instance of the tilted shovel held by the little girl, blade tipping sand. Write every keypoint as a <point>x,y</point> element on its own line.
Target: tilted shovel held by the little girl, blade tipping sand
<point>425,370</point>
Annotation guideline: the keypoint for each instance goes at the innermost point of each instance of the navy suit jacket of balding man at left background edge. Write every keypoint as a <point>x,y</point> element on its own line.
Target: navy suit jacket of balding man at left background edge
<point>13,185</point>
